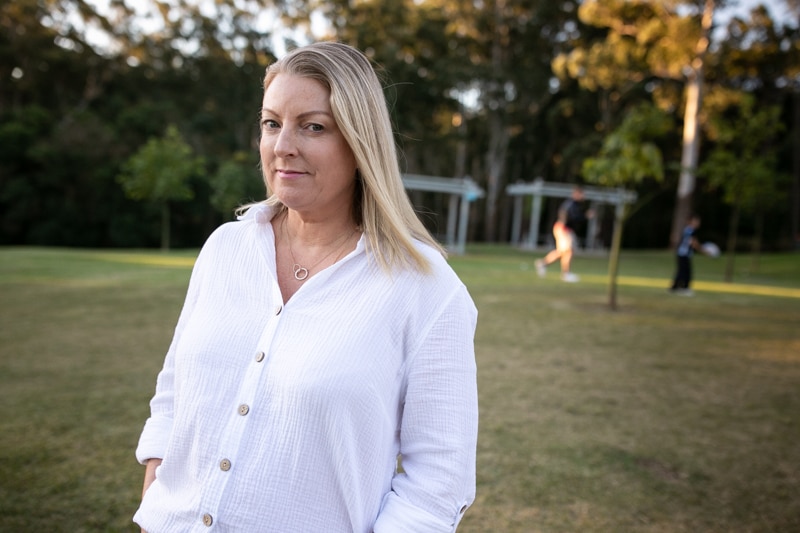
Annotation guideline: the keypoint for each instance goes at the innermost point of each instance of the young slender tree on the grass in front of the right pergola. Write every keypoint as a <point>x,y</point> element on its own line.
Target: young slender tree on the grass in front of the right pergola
<point>626,158</point>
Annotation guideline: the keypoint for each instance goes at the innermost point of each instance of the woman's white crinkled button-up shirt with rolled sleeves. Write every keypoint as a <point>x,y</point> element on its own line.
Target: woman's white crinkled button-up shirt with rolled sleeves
<point>290,418</point>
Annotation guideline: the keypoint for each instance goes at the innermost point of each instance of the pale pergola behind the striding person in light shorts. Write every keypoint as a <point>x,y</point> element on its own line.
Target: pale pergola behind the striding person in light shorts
<point>597,197</point>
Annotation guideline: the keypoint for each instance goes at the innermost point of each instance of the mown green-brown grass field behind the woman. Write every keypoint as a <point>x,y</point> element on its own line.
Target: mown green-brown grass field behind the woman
<point>671,414</point>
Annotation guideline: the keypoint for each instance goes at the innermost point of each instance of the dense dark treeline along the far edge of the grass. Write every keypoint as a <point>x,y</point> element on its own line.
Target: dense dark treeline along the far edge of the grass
<point>503,91</point>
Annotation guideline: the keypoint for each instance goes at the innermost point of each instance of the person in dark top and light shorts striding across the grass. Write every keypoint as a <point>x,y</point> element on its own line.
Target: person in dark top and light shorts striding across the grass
<point>571,214</point>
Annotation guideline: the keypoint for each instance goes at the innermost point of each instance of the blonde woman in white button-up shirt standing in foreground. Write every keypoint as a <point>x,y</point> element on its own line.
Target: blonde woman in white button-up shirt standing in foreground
<point>323,337</point>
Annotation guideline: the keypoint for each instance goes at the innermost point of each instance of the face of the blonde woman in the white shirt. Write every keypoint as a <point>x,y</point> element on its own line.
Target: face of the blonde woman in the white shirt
<point>306,161</point>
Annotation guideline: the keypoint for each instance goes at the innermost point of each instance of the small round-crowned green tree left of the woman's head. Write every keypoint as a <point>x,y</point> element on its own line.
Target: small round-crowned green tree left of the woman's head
<point>159,172</point>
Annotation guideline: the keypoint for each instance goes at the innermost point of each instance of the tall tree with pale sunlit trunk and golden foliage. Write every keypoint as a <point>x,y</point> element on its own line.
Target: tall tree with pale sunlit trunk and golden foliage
<point>656,43</point>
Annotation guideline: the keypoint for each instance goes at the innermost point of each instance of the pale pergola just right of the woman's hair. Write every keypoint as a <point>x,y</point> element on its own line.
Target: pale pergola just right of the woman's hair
<point>462,191</point>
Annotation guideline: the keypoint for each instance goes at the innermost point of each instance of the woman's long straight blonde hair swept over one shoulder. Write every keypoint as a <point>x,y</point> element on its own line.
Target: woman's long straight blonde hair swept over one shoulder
<point>381,206</point>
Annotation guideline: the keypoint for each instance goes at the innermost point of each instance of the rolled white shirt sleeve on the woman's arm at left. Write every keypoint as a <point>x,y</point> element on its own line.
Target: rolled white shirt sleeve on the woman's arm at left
<point>158,427</point>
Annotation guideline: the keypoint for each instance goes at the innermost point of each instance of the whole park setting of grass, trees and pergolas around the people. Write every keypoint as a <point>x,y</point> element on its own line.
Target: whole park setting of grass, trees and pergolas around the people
<point>129,131</point>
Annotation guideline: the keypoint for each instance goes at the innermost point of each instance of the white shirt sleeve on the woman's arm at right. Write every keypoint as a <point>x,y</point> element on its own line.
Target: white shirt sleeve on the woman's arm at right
<point>439,427</point>
